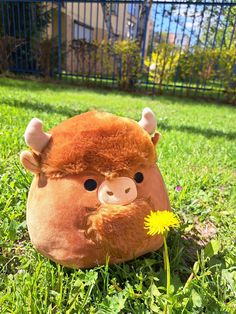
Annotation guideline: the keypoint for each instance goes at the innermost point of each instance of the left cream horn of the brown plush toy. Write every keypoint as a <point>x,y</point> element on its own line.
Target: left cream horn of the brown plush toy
<point>35,137</point>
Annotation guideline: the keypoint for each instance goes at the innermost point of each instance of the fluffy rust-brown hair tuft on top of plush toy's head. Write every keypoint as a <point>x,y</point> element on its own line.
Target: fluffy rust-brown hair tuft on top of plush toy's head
<point>99,142</point>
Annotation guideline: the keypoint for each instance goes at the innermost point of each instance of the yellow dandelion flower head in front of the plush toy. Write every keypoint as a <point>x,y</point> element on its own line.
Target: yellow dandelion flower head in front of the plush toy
<point>160,222</point>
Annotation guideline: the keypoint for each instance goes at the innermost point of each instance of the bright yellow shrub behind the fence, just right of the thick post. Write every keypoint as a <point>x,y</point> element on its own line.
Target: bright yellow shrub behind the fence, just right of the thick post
<point>162,63</point>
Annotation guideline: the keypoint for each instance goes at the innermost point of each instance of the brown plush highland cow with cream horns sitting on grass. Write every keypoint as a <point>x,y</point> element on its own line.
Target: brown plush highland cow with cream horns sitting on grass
<point>95,180</point>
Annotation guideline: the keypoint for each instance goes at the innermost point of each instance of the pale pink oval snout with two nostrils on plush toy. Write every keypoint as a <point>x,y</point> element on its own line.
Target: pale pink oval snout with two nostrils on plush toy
<point>120,191</point>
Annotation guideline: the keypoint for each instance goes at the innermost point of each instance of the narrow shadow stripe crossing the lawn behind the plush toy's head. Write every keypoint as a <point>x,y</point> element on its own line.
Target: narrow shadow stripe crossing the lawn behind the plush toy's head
<point>70,112</point>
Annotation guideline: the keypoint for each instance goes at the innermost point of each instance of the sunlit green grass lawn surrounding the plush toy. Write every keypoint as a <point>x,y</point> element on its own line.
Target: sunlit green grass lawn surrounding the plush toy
<point>197,152</point>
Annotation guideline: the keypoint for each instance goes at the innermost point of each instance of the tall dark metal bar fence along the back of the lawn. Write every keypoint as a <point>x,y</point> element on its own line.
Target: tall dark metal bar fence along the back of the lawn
<point>186,47</point>
